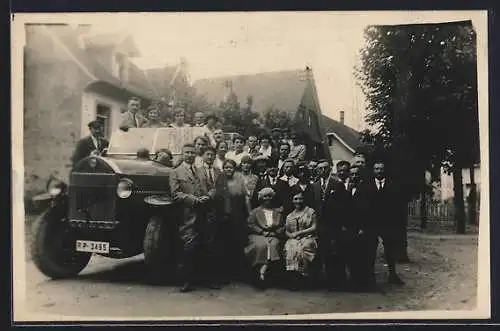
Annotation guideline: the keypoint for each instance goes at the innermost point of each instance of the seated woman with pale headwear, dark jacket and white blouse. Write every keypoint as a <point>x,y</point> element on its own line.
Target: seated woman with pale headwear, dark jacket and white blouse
<point>266,232</point>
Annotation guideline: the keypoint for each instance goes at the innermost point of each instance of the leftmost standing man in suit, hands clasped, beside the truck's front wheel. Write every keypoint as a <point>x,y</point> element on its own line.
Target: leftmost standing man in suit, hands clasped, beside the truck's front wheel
<point>187,190</point>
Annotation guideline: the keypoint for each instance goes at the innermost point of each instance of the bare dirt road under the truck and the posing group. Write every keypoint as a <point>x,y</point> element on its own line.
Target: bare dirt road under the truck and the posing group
<point>443,275</point>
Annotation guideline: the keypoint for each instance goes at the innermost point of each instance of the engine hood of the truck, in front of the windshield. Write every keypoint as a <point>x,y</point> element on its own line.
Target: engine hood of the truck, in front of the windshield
<point>136,167</point>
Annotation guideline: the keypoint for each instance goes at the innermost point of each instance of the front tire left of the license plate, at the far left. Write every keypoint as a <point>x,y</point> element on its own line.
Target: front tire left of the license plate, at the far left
<point>44,225</point>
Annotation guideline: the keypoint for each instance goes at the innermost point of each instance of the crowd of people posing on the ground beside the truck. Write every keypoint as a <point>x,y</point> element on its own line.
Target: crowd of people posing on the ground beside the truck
<point>263,212</point>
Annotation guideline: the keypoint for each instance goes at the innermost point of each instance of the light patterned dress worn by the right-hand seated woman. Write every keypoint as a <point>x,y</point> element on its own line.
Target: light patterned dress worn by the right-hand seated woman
<point>299,253</point>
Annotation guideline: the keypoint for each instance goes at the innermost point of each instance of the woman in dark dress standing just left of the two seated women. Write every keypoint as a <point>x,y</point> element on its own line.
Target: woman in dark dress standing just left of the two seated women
<point>232,211</point>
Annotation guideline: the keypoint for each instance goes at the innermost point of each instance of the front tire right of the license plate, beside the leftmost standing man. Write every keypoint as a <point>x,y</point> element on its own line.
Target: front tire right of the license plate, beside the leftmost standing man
<point>158,257</point>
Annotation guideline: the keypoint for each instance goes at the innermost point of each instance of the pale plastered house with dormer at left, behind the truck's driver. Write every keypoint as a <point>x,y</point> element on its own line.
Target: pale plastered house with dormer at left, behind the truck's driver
<point>72,76</point>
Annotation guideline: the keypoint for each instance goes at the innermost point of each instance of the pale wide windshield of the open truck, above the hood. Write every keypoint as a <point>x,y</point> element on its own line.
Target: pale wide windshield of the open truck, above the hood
<point>153,139</point>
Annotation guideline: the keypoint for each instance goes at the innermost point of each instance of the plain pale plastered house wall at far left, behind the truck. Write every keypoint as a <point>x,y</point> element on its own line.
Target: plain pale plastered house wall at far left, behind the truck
<point>52,109</point>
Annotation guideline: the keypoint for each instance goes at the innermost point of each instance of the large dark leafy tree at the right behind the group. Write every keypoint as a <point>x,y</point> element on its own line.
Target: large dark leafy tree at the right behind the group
<point>416,79</point>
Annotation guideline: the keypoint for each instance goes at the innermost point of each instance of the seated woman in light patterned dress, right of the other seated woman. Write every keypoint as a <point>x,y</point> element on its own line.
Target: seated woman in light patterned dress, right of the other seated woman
<point>301,246</point>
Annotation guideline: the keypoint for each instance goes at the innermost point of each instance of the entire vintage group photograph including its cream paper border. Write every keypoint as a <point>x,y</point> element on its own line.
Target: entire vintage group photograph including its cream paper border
<point>250,165</point>
